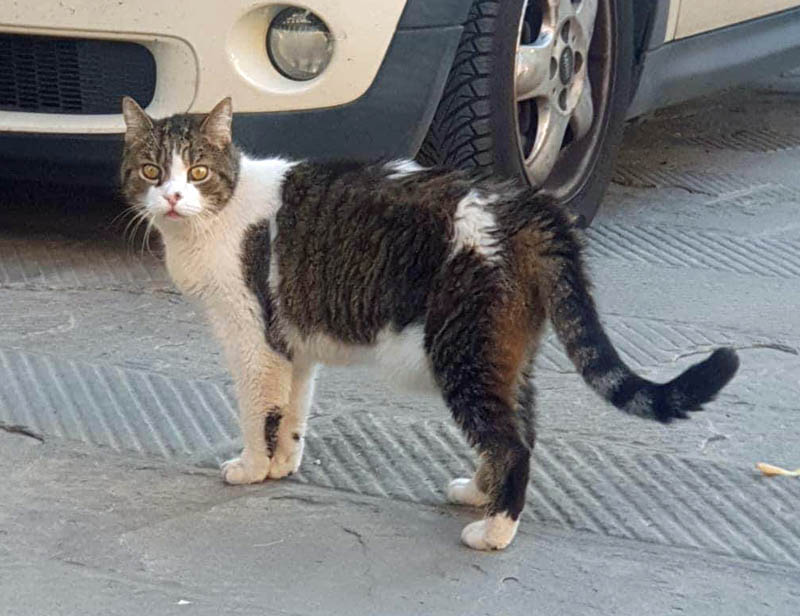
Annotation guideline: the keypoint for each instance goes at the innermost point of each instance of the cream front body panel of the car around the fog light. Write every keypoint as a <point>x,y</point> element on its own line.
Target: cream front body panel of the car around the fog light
<point>226,40</point>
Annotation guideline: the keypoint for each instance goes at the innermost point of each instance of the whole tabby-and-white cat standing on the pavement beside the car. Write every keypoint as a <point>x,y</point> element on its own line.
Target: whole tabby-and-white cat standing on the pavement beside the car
<point>442,276</point>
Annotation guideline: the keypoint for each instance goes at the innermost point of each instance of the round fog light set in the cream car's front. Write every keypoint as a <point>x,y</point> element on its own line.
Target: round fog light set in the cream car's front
<point>299,44</point>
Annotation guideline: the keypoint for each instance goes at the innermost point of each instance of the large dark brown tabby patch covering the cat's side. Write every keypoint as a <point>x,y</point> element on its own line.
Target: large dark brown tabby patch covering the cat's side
<point>357,249</point>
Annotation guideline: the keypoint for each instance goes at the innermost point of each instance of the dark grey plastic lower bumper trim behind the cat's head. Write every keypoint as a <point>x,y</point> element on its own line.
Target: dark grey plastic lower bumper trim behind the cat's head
<point>389,121</point>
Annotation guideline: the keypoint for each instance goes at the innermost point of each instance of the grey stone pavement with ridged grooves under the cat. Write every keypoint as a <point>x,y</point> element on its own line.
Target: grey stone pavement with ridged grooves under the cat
<point>117,507</point>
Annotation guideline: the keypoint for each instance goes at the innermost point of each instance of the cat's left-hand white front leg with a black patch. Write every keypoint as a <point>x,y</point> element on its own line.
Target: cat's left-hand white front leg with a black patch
<point>263,380</point>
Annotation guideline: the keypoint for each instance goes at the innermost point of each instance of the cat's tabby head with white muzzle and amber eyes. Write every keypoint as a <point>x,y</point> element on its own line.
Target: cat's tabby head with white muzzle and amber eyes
<point>179,167</point>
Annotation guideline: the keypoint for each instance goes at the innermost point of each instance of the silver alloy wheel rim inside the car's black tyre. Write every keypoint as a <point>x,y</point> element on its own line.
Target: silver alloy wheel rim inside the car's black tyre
<point>561,76</point>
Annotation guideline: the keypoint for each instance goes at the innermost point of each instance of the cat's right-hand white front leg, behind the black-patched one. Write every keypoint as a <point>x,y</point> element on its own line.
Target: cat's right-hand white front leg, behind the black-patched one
<point>290,437</point>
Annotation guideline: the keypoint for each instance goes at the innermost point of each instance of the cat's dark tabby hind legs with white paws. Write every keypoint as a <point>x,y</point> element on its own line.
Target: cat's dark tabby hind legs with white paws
<point>479,343</point>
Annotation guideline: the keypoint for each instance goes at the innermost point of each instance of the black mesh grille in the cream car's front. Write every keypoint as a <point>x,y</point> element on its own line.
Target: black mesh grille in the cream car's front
<point>44,74</point>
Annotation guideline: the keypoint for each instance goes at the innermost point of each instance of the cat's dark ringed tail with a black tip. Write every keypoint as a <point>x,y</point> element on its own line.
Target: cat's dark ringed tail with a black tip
<point>572,312</point>
